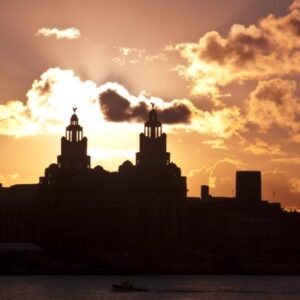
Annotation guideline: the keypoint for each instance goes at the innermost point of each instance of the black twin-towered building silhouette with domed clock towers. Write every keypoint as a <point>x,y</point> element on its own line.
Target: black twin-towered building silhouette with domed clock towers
<point>139,208</point>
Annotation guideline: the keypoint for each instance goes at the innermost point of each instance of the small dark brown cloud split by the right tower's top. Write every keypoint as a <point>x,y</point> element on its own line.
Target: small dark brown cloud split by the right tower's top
<point>119,109</point>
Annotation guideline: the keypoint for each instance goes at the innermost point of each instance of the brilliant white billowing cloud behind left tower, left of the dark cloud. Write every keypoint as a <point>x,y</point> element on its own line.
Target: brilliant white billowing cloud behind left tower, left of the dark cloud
<point>49,101</point>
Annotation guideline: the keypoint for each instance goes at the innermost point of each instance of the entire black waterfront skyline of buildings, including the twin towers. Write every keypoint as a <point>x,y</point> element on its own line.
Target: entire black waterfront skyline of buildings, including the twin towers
<point>141,213</point>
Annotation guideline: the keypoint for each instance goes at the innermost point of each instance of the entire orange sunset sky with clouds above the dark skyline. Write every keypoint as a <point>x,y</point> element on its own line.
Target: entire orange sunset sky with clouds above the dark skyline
<point>224,75</point>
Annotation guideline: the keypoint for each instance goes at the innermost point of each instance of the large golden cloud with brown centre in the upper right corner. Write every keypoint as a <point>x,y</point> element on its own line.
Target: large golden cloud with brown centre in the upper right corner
<point>257,52</point>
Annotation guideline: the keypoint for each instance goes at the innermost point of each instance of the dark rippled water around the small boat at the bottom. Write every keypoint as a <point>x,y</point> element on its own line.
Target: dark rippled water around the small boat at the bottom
<point>162,287</point>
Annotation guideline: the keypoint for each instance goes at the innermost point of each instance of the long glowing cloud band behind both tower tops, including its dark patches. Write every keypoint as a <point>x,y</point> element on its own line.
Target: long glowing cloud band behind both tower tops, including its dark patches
<point>52,96</point>
